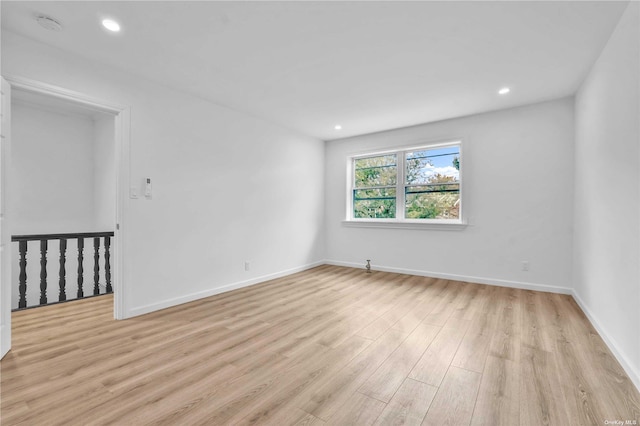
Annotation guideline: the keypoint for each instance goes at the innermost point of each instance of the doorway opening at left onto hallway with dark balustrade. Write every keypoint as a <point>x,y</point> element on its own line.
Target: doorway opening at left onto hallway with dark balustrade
<point>63,186</point>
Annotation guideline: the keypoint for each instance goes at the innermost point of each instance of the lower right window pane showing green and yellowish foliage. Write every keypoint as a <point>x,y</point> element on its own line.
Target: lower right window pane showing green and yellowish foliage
<point>432,202</point>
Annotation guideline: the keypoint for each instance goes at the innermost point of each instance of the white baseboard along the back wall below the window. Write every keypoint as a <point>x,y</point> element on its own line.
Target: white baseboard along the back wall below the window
<point>465,278</point>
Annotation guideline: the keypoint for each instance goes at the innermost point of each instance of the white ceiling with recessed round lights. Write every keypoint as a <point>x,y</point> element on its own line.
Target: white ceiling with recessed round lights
<point>369,66</point>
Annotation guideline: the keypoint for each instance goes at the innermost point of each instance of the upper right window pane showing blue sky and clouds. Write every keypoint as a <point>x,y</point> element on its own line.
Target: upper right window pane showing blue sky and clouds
<point>433,165</point>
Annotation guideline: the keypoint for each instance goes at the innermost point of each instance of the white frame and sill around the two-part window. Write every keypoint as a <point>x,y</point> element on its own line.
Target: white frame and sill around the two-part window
<point>399,221</point>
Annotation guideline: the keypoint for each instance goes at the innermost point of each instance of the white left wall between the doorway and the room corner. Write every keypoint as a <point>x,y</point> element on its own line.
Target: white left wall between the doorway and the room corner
<point>228,187</point>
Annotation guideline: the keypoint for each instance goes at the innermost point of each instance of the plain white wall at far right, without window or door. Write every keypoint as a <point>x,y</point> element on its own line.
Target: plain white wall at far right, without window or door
<point>607,193</point>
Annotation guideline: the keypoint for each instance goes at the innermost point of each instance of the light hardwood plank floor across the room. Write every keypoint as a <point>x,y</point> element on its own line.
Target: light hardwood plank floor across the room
<point>330,345</point>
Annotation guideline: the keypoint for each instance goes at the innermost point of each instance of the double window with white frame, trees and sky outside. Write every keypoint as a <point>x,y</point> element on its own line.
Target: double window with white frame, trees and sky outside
<point>417,185</point>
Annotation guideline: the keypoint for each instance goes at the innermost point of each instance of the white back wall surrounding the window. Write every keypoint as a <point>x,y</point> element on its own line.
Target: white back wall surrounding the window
<point>518,183</point>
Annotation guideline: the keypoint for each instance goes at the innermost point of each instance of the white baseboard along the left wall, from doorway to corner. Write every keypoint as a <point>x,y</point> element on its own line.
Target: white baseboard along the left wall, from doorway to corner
<point>141,310</point>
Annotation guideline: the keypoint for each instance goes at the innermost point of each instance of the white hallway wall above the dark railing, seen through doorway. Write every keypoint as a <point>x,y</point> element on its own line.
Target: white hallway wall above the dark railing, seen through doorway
<point>51,172</point>
